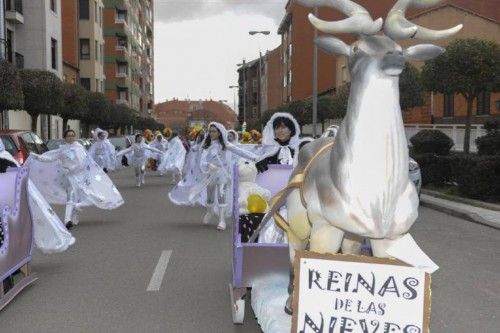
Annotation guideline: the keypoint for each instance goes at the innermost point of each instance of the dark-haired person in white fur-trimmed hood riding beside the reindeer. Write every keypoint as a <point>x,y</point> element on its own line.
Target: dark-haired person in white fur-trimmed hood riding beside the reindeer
<point>280,141</point>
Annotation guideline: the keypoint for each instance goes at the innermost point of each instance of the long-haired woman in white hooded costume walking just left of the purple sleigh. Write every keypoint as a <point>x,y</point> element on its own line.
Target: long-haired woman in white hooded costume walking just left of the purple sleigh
<point>216,164</point>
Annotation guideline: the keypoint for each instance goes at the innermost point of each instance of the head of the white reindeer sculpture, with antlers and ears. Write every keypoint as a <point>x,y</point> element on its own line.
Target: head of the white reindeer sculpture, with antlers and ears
<point>379,51</point>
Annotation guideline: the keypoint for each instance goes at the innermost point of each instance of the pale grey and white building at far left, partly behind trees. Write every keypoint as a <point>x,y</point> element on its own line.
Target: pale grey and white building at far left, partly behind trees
<point>34,34</point>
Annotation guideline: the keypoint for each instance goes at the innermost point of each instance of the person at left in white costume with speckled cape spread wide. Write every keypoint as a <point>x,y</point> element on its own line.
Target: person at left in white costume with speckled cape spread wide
<point>68,175</point>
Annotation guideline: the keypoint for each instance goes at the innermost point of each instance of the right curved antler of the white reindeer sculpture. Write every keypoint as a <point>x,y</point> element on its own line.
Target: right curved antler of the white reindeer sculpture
<point>398,27</point>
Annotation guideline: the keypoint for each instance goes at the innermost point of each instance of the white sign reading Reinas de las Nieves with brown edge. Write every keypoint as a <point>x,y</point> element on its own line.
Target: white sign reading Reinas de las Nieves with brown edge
<point>343,293</point>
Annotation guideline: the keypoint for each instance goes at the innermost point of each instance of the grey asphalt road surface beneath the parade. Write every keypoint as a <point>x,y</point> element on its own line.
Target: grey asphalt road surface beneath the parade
<point>100,284</point>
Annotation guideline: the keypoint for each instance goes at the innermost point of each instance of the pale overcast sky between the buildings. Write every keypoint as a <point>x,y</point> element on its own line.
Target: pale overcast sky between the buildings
<point>199,43</point>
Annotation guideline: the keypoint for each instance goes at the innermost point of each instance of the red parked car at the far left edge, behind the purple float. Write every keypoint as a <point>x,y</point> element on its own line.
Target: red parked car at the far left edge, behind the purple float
<point>21,143</point>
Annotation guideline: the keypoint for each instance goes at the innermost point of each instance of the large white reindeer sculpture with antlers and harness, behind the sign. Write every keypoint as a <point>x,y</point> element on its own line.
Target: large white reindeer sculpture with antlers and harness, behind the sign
<point>358,186</point>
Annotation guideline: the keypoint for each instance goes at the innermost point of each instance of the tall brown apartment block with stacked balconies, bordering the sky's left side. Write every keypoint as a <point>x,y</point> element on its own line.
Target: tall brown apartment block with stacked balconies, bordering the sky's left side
<point>128,53</point>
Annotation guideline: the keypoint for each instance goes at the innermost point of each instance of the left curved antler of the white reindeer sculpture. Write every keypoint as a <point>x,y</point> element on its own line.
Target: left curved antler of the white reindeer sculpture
<point>359,20</point>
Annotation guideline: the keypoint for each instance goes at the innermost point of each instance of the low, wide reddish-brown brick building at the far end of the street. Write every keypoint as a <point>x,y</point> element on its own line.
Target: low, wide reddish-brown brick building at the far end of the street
<point>183,114</point>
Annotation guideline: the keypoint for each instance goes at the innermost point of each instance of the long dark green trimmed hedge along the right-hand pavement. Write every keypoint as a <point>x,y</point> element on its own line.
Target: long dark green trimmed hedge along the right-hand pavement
<point>477,177</point>
